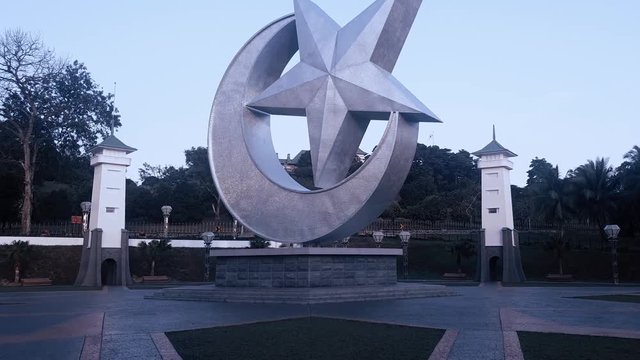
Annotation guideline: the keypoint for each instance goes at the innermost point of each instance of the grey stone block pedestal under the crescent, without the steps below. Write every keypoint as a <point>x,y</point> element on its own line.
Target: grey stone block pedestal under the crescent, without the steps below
<point>305,267</point>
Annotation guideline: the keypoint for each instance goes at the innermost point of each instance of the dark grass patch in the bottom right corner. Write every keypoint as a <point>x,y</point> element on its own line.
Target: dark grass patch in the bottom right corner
<point>541,346</point>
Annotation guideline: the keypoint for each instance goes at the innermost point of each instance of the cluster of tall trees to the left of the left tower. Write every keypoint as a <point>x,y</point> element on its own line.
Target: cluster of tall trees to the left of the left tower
<point>51,114</point>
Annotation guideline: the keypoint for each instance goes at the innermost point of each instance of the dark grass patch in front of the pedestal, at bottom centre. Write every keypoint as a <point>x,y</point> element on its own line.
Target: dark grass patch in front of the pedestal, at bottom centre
<point>307,338</point>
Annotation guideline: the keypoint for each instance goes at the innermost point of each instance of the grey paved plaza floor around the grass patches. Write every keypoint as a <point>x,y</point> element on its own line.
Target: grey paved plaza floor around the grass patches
<point>118,323</point>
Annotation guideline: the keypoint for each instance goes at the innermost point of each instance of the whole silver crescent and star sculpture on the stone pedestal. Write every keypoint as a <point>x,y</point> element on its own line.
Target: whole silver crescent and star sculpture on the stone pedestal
<point>331,87</point>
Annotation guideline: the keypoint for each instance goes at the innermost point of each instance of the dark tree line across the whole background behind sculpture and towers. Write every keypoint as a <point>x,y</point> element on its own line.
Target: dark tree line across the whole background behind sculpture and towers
<point>52,113</point>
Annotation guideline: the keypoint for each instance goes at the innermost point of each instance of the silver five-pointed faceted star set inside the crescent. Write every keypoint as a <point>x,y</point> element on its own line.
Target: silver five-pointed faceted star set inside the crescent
<point>344,80</point>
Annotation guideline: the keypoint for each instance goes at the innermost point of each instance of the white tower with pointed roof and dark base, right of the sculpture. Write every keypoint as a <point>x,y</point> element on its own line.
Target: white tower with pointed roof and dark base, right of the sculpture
<point>499,255</point>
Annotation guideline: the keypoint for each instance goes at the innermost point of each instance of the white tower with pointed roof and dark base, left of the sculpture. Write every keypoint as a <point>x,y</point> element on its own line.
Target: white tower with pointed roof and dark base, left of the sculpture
<point>105,255</point>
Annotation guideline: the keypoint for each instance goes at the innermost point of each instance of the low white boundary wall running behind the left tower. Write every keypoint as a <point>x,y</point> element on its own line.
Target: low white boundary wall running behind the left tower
<point>54,241</point>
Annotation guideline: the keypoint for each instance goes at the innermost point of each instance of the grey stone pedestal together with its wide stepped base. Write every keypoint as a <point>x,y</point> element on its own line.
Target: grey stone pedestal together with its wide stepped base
<point>304,276</point>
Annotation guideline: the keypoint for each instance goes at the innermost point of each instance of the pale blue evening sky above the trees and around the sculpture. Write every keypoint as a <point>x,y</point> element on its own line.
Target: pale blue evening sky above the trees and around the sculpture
<point>559,79</point>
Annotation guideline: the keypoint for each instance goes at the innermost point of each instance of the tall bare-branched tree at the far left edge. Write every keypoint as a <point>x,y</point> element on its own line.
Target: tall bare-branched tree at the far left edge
<point>26,68</point>
